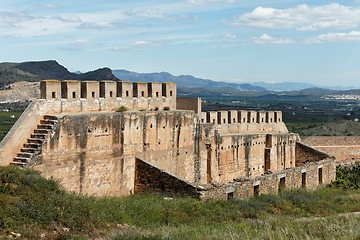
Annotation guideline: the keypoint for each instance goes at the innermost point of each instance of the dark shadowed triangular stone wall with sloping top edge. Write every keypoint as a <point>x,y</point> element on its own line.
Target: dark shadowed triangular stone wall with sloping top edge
<point>149,178</point>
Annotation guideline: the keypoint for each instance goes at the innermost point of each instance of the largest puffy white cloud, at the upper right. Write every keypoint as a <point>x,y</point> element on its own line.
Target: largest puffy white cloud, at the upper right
<point>302,17</point>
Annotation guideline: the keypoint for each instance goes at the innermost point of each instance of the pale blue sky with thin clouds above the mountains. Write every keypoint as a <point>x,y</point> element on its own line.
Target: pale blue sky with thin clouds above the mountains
<point>230,40</point>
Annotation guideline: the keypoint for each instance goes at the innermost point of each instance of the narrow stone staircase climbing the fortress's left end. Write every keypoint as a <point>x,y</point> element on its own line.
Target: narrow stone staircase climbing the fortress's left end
<point>32,148</point>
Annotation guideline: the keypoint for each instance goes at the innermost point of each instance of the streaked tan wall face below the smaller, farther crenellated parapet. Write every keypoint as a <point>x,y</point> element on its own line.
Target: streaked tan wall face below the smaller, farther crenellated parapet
<point>245,156</point>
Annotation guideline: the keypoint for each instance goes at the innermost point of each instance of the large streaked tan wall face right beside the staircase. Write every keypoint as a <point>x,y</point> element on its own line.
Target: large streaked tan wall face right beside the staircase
<point>95,153</point>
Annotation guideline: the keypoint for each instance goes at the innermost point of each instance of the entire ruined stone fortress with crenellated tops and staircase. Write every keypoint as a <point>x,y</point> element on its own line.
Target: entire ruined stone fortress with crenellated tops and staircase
<point>108,138</point>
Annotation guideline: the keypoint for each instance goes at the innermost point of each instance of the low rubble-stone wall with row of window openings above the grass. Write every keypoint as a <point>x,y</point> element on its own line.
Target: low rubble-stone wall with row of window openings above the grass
<point>273,183</point>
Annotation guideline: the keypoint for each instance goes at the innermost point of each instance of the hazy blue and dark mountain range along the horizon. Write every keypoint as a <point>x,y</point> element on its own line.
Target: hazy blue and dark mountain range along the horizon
<point>186,84</point>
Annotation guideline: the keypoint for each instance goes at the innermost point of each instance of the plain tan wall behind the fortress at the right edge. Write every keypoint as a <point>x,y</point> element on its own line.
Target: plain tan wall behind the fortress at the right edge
<point>345,149</point>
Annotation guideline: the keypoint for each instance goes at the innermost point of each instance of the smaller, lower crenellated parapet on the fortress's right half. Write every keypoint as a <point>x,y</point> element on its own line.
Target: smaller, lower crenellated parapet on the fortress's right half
<point>242,121</point>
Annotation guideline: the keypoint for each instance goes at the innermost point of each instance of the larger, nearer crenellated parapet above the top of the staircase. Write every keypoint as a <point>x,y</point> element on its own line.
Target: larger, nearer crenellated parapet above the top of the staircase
<point>88,96</point>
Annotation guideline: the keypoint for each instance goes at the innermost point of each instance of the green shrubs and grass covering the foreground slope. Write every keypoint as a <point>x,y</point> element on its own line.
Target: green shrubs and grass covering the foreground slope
<point>36,208</point>
